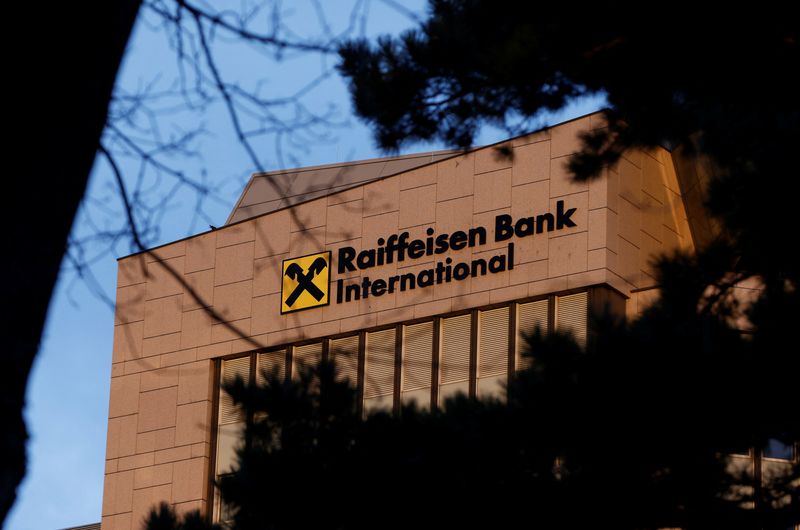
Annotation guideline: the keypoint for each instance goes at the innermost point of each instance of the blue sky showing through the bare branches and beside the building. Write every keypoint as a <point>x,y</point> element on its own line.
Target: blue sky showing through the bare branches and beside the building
<point>67,396</point>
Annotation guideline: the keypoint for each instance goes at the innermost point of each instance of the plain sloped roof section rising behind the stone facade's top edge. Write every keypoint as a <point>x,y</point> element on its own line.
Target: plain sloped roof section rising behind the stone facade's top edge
<point>266,192</point>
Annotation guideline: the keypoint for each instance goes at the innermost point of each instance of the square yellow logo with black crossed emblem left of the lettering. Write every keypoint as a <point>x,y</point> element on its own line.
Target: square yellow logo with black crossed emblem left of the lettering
<point>305,283</point>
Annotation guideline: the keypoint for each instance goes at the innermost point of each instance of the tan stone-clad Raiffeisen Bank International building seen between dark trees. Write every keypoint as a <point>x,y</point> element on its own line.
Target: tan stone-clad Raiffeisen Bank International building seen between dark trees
<point>417,272</point>
